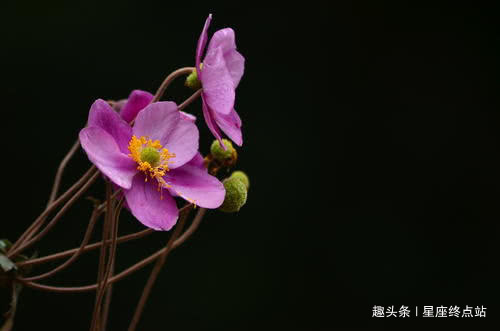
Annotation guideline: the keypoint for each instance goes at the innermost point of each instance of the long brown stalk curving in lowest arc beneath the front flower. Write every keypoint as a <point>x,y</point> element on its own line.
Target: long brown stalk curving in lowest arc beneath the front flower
<point>139,265</point>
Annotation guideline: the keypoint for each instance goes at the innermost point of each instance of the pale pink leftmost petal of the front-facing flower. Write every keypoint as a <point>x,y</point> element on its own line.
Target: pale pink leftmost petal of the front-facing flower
<point>104,152</point>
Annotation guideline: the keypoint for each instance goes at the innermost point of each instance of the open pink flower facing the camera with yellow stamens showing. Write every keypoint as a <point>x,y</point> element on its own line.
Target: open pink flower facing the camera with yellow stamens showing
<point>152,161</point>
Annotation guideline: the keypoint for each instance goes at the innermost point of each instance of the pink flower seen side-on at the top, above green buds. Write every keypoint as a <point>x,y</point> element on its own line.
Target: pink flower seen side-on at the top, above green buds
<point>220,74</point>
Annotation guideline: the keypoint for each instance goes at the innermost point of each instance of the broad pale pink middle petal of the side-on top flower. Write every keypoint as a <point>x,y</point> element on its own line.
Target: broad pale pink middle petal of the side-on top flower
<point>217,82</point>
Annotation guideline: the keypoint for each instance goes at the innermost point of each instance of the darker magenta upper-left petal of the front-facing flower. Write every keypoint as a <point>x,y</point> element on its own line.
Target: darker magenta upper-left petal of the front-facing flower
<point>103,116</point>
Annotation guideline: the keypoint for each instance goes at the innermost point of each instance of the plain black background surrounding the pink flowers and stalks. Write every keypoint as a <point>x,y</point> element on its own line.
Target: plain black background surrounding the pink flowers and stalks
<point>370,138</point>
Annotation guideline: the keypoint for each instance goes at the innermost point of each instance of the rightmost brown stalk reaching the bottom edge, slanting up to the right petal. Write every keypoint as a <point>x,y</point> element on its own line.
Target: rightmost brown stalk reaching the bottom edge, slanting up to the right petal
<point>155,272</point>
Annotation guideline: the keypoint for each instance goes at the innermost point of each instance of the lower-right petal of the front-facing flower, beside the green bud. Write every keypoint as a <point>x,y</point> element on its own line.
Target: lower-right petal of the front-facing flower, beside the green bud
<point>194,184</point>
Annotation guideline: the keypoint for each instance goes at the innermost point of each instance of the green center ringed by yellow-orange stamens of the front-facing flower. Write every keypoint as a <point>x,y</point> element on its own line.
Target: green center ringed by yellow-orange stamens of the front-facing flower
<point>151,157</point>
